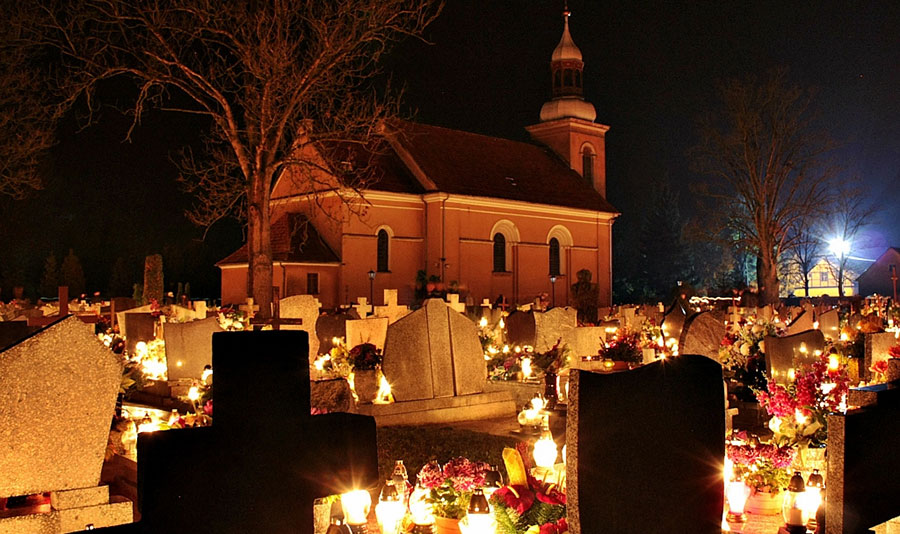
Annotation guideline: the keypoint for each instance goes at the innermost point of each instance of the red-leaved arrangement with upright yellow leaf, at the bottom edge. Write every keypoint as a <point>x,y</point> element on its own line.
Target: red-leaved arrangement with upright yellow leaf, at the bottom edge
<point>526,505</point>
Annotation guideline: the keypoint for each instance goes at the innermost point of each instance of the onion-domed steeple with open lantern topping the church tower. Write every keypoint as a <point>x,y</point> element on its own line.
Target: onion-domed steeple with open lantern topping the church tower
<point>567,71</point>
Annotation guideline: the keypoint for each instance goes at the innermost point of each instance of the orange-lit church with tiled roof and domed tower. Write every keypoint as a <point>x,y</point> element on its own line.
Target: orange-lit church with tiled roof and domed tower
<point>495,218</point>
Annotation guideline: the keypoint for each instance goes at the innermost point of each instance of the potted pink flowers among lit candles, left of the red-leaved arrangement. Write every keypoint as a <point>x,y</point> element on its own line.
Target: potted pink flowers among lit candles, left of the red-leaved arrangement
<point>451,486</point>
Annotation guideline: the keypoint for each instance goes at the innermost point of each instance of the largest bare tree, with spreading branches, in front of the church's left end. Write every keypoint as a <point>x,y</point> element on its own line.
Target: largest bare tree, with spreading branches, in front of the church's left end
<point>279,80</point>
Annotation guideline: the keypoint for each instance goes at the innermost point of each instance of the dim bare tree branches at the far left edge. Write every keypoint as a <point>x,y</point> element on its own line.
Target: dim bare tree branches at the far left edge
<point>27,118</point>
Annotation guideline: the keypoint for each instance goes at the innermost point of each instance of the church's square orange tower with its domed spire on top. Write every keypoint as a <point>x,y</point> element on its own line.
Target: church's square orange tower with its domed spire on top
<point>567,121</point>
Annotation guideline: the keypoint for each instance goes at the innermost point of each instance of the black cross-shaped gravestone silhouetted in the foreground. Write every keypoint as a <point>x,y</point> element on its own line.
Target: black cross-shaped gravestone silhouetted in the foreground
<point>264,460</point>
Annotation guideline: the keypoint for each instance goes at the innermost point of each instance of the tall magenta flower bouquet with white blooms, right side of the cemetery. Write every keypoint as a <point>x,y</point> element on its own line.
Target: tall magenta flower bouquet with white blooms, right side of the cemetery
<point>799,408</point>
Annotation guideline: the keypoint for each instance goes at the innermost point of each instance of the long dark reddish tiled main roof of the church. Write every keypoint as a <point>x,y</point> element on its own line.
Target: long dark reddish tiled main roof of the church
<point>470,164</point>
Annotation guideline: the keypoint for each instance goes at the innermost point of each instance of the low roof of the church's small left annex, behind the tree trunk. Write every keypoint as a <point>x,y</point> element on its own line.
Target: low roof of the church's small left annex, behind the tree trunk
<point>294,239</point>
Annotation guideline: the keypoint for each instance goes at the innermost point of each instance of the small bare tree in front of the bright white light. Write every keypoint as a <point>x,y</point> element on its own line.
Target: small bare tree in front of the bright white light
<point>850,213</point>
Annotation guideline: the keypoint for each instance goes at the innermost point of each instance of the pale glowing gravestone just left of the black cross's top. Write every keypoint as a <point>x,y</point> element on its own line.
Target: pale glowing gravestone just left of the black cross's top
<point>189,347</point>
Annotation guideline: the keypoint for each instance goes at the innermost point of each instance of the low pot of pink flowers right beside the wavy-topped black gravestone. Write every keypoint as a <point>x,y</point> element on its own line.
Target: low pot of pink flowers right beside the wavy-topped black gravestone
<point>762,466</point>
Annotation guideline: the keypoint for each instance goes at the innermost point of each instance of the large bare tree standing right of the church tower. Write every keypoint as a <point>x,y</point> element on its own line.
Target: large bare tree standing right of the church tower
<point>766,166</point>
